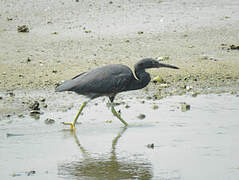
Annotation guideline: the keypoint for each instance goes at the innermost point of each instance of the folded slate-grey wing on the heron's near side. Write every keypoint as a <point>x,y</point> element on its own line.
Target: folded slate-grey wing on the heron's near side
<point>105,80</point>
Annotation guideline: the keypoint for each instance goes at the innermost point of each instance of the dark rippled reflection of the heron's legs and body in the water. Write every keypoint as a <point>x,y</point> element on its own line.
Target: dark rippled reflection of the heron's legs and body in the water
<point>112,167</point>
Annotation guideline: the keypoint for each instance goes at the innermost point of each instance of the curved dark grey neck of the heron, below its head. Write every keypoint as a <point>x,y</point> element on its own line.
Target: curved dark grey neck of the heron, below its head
<point>143,79</point>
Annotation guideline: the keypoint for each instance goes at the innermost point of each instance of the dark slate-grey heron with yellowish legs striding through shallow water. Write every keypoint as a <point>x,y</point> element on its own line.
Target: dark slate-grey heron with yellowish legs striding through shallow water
<point>109,80</point>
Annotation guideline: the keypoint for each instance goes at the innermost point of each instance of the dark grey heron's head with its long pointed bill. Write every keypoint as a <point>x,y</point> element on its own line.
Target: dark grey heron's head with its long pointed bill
<point>151,63</point>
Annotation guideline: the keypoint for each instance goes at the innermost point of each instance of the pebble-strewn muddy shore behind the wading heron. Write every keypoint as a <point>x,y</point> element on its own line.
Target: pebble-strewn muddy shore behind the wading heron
<point>65,39</point>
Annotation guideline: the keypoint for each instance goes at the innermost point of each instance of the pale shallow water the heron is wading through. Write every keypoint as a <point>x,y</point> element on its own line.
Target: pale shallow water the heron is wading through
<point>201,143</point>
